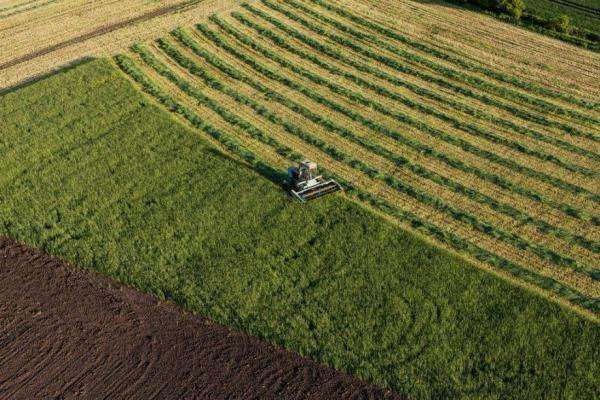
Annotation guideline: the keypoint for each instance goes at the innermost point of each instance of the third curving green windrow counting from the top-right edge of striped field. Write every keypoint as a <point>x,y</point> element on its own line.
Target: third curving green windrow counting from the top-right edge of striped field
<point>444,82</point>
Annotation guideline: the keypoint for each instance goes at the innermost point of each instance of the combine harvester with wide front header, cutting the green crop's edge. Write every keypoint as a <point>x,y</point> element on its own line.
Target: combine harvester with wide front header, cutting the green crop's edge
<point>306,184</point>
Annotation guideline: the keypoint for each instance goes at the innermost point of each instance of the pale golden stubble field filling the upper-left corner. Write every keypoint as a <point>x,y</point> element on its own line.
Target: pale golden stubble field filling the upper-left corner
<point>39,36</point>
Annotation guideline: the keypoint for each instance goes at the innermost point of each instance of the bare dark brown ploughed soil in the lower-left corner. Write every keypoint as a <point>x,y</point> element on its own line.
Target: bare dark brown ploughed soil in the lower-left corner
<point>67,333</point>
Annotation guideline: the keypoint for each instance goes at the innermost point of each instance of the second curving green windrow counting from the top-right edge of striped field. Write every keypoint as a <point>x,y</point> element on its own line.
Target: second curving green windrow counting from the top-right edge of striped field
<point>459,76</point>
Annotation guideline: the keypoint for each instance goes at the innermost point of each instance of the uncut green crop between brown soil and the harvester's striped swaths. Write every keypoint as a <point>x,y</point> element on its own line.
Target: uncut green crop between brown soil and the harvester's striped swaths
<point>94,172</point>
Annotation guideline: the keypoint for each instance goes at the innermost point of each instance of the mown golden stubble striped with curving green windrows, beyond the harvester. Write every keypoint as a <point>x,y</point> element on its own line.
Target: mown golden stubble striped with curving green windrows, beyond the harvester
<point>499,168</point>
